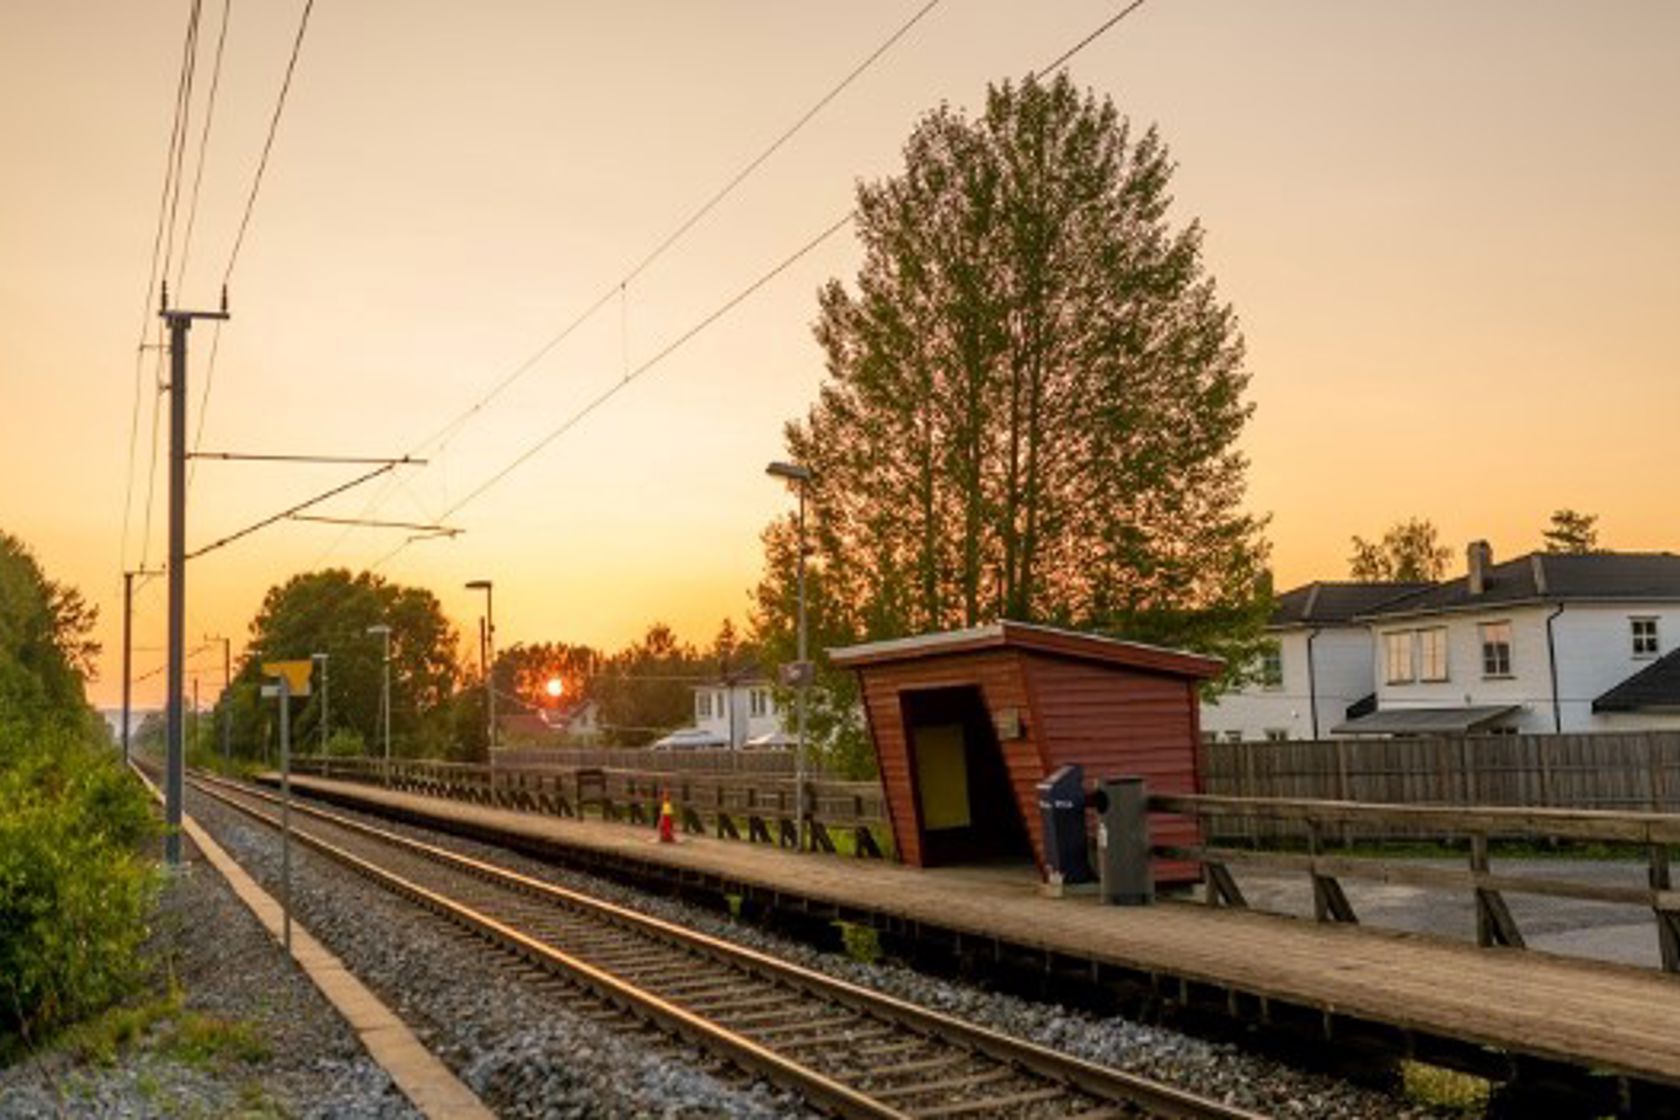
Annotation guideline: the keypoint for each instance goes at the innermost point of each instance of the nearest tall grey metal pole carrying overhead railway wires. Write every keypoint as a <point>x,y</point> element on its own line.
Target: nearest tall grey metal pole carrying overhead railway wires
<point>174,787</point>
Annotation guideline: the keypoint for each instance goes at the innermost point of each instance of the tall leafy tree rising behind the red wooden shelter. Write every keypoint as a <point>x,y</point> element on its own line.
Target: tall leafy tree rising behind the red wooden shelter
<point>1034,394</point>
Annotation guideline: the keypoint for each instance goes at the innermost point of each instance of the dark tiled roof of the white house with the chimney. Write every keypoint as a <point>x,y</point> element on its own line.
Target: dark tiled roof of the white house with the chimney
<point>1550,578</point>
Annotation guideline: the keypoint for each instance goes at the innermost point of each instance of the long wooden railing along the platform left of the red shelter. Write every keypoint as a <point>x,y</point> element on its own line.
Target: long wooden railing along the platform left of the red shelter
<point>735,807</point>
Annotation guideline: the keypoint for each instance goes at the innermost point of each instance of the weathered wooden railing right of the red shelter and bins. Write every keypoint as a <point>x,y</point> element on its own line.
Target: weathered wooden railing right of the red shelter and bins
<point>1321,820</point>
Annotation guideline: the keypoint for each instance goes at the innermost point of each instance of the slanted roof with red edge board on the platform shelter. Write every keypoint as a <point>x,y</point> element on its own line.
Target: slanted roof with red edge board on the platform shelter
<point>1032,637</point>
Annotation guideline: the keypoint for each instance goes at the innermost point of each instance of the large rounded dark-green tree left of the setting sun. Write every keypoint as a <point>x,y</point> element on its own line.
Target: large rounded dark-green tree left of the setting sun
<point>330,612</point>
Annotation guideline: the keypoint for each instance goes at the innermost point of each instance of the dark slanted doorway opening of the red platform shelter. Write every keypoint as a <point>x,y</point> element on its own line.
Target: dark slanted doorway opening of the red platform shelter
<point>963,797</point>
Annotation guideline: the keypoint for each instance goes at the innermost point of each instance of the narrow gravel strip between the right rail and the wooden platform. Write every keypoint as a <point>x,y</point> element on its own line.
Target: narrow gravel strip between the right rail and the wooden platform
<point>1215,1070</point>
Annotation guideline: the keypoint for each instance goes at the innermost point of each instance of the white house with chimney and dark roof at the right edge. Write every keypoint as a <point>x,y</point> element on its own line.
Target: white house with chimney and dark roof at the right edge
<point>1541,644</point>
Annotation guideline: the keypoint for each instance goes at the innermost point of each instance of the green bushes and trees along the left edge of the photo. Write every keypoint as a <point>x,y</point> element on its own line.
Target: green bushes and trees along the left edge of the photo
<point>76,886</point>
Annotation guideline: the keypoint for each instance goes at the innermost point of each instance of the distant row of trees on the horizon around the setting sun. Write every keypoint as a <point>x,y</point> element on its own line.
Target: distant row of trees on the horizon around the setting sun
<point>438,696</point>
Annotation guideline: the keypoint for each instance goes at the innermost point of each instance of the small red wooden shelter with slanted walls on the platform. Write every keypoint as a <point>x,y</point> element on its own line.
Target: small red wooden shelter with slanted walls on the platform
<point>967,723</point>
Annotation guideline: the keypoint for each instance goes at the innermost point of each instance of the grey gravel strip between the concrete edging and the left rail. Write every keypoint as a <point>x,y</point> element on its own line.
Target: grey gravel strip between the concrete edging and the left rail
<point>525,1050</point>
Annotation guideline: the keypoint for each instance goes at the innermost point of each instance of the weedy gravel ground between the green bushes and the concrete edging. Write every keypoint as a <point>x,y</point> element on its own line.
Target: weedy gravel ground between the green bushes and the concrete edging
<point>253,1035</point>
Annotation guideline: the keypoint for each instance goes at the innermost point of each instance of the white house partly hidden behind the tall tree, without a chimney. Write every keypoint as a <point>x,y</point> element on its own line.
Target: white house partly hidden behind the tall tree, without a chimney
<point>1320,673</point>
